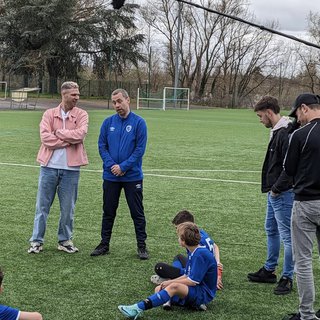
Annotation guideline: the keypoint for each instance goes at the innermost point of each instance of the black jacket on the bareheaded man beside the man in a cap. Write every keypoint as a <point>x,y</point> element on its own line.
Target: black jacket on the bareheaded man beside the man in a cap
<point>273,176</point>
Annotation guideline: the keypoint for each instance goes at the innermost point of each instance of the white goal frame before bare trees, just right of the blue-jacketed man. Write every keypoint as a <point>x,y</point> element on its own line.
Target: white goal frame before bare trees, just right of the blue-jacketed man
<point>164,100</point>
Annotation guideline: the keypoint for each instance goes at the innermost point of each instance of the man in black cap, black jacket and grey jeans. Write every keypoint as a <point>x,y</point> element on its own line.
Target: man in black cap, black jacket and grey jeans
<point>302,163</point>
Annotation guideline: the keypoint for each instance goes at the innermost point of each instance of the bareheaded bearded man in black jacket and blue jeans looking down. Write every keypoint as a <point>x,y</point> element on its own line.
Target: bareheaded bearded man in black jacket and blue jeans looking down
<point>278,185</point>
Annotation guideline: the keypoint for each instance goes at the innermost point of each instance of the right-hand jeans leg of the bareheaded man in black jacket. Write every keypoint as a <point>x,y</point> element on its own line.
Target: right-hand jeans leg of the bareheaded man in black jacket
<point>282,207</point>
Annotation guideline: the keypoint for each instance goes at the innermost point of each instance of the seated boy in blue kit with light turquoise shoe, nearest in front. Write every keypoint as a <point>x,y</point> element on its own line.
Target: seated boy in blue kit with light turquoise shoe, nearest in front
<point>197,286</point>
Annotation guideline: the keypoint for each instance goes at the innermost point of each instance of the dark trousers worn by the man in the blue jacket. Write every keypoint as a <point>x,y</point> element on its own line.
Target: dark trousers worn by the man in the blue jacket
<point>134,195</point>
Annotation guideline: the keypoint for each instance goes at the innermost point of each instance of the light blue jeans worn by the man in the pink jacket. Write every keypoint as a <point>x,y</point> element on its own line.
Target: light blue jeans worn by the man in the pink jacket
<point>65,184</point>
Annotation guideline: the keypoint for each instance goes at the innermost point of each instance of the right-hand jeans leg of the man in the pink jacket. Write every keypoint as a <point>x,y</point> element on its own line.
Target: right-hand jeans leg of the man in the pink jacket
<point>67,193</point>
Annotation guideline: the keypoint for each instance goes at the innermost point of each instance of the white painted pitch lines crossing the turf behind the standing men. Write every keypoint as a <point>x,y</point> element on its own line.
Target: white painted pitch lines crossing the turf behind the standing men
<point>161,175</point>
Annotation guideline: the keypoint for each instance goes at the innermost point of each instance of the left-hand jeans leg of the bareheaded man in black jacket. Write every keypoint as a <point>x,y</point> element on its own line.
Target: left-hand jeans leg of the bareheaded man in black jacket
<point>273,238</point>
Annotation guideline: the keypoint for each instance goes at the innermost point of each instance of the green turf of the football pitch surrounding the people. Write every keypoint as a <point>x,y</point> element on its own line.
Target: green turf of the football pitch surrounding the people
<point>207,161</point>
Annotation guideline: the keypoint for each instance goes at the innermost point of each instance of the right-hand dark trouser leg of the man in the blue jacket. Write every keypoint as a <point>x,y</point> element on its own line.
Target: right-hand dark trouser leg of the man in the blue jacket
<point>133,191</point>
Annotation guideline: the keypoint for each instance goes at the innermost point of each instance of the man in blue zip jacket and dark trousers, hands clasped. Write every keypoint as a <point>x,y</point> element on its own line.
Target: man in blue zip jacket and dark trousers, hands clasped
<point>122,143</point>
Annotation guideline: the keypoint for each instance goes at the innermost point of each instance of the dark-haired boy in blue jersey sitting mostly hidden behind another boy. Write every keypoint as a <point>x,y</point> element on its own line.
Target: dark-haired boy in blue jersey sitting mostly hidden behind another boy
<point>166,271</point>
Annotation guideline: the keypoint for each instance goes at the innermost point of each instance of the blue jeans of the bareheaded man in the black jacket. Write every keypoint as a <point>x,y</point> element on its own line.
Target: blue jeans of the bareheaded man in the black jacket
<point>278,228</point>
